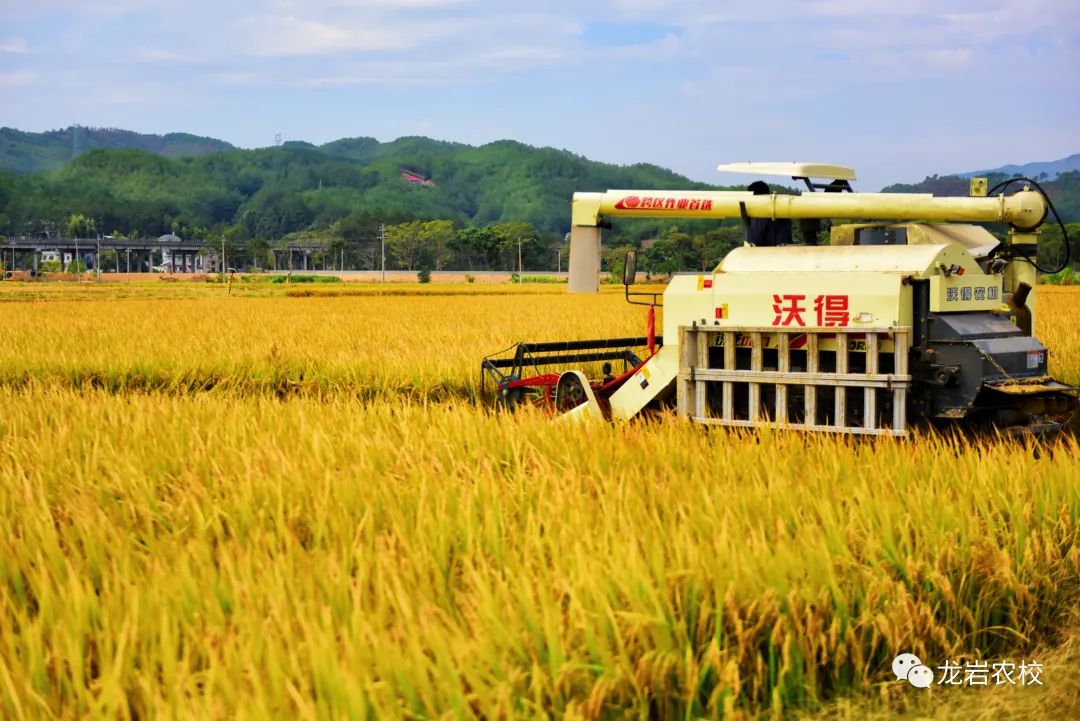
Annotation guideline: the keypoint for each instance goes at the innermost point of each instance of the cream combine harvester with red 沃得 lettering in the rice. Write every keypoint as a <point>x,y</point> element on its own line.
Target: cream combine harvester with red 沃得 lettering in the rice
<point>912,319</point>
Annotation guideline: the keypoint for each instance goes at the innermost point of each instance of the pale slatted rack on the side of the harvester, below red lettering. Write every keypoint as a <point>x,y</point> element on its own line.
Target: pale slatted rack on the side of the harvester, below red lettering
<point>714,390</point>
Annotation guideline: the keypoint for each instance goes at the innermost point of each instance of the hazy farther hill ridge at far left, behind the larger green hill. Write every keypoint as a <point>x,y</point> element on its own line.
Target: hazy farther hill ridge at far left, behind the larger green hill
<point>37,153</point>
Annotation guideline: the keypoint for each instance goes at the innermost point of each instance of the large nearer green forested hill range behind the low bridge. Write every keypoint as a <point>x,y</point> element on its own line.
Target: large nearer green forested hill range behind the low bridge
<point>269,193</point>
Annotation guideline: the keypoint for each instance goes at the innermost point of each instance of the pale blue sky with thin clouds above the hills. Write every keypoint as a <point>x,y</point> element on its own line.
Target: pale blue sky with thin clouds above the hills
<point>898,90</point>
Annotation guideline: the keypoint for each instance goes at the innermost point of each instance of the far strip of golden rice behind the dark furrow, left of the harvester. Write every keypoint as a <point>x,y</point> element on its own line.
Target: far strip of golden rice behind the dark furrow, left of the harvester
<point>426,346</point>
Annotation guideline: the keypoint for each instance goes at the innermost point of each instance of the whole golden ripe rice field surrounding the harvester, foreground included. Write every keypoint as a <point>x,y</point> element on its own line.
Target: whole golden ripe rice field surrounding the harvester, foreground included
<point>269,506</point>
